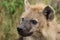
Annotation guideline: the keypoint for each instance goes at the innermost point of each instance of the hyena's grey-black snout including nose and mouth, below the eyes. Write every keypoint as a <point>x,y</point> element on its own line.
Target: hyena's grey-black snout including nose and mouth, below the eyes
<point>24,29</point>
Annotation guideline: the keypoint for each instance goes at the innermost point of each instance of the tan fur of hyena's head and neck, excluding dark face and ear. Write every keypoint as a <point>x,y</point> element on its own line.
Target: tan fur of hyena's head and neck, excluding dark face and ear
<point>45,30</point>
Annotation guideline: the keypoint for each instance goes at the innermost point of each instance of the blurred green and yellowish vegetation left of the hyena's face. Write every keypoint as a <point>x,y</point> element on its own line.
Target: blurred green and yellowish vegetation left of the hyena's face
<point>10,11</point>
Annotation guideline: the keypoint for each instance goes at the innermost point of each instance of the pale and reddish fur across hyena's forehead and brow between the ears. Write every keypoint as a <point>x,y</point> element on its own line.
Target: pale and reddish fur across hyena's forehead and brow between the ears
<point>34,9</point>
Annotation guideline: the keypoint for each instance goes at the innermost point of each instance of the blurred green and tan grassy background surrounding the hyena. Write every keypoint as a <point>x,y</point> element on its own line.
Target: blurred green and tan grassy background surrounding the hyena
<point>10,12</point>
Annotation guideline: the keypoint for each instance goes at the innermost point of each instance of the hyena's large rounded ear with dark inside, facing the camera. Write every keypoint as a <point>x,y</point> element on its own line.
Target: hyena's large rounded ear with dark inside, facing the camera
<point>48,12</point>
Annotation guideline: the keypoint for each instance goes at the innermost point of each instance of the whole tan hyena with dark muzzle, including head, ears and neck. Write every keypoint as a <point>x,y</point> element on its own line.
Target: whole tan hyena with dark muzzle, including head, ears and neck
<point>37,22</point>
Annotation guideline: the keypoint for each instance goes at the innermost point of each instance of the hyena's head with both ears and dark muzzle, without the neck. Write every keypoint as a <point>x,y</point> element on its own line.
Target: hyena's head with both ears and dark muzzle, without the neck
<point>34,19</point>
